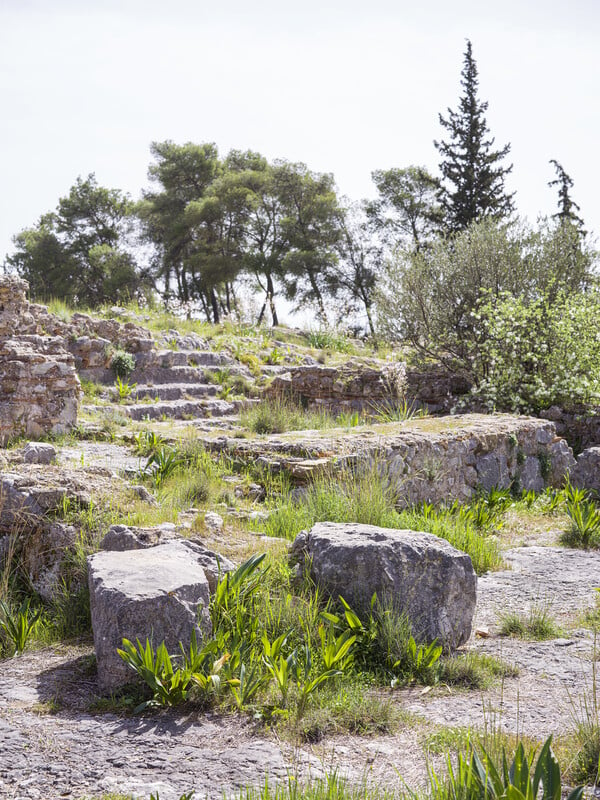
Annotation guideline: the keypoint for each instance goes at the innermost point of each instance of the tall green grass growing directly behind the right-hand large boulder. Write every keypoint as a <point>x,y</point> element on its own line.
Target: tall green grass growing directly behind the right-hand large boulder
<point>364,496</point>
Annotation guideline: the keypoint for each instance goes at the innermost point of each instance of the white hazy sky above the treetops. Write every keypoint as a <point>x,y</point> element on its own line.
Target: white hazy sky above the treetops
<point>346,86</point>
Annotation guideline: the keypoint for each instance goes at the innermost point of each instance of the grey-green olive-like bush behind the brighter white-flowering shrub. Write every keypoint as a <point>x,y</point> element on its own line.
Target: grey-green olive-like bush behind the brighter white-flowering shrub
<point>428,297</point>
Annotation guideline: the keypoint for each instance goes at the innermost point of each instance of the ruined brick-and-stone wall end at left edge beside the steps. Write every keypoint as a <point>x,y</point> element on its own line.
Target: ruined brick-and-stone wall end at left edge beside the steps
<point>39,387</point>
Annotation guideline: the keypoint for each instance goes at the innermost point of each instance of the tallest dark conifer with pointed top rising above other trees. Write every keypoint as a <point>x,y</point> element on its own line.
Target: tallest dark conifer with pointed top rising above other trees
<point>472,183</point>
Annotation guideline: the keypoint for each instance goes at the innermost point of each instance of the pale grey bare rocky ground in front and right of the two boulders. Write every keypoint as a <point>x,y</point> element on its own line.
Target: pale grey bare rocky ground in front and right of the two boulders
<point>72,753</point>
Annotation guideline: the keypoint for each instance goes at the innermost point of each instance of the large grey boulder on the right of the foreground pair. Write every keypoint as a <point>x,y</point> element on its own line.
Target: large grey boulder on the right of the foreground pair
<point>417,572</point>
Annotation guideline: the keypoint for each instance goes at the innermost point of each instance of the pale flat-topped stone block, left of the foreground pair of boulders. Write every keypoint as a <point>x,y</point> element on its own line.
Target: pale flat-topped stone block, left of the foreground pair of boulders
<point>160,593</point>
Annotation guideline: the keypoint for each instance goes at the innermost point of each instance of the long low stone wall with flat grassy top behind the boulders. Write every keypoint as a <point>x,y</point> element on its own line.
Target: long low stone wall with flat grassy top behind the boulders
<point>432,459</point>
